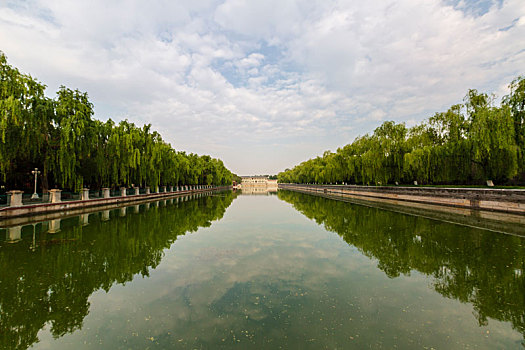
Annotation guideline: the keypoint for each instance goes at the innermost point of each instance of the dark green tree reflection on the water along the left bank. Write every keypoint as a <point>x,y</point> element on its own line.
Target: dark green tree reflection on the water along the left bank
<point>51,284</point>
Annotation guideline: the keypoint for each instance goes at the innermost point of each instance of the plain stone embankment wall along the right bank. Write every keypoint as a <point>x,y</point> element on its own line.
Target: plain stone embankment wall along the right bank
<point>499,200</point>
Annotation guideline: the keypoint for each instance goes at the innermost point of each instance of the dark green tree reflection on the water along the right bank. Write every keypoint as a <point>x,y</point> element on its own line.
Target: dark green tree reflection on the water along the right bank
<point>471,265</point>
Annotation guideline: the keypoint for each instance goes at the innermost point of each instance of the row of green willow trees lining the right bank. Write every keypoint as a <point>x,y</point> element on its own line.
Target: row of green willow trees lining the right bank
<point>468,144</point>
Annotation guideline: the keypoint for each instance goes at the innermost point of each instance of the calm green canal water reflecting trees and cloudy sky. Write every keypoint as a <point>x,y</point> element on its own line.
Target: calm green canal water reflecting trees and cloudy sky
<point>291,271</point>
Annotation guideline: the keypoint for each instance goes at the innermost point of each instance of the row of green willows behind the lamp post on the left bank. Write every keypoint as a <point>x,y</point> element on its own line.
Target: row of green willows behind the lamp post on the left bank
<point>73,150</point>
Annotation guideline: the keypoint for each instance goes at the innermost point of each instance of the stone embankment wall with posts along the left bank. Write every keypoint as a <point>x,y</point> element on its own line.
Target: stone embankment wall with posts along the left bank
<point>70,206</point>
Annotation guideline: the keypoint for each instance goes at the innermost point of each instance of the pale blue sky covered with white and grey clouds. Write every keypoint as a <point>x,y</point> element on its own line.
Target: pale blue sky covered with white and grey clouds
<point>265,85</point>
